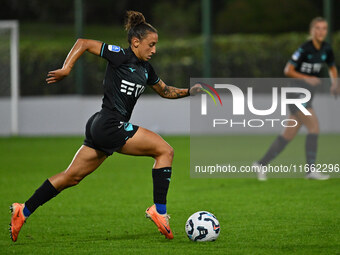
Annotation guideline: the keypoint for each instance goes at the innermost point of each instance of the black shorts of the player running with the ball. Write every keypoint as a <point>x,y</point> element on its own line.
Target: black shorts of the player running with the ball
<point>107,131</point>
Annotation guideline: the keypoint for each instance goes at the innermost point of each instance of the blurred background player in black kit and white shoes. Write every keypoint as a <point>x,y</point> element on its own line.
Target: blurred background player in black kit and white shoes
<point>305,64</point>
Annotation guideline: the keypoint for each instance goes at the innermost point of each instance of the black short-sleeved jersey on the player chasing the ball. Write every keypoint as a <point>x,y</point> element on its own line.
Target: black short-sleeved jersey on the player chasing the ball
<point>125,79</point>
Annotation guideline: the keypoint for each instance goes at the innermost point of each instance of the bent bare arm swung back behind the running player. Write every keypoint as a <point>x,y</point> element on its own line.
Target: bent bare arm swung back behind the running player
<point>77,50</point>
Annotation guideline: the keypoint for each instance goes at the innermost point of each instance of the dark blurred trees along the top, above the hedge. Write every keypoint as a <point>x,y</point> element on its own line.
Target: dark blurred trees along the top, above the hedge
<point>179,16</point>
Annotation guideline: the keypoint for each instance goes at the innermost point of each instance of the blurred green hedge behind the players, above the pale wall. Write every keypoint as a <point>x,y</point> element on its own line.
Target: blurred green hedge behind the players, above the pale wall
<point>175,62</point>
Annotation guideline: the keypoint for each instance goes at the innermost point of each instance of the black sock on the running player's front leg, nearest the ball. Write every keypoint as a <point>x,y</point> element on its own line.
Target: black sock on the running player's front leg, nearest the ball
<point>161,180</point>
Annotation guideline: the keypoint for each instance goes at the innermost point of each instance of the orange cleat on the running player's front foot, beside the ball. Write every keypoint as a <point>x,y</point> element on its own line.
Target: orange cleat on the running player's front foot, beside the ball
<point>161,221</point>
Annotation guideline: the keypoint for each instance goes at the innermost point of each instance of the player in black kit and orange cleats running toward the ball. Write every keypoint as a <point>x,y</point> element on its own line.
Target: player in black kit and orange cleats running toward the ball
<point>108,131</point>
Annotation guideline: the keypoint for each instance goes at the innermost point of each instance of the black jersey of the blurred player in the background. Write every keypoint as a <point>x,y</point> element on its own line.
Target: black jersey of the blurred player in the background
<point>308,60</point>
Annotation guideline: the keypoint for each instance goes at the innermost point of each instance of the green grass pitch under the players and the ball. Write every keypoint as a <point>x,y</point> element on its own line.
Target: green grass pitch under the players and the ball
<point>105,213</point>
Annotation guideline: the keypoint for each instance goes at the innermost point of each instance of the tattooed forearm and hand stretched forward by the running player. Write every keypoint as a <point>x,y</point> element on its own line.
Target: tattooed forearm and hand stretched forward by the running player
<point>172,92</point>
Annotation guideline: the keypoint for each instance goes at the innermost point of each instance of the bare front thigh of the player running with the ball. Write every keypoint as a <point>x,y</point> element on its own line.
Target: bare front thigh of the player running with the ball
<point>146,143</point>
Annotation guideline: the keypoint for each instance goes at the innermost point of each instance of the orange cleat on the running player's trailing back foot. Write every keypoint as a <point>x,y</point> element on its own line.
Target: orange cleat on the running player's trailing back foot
<point>17,221</point>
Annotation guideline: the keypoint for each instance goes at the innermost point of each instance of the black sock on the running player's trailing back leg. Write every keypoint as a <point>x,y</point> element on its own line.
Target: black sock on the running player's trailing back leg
<point>44,193</point>
